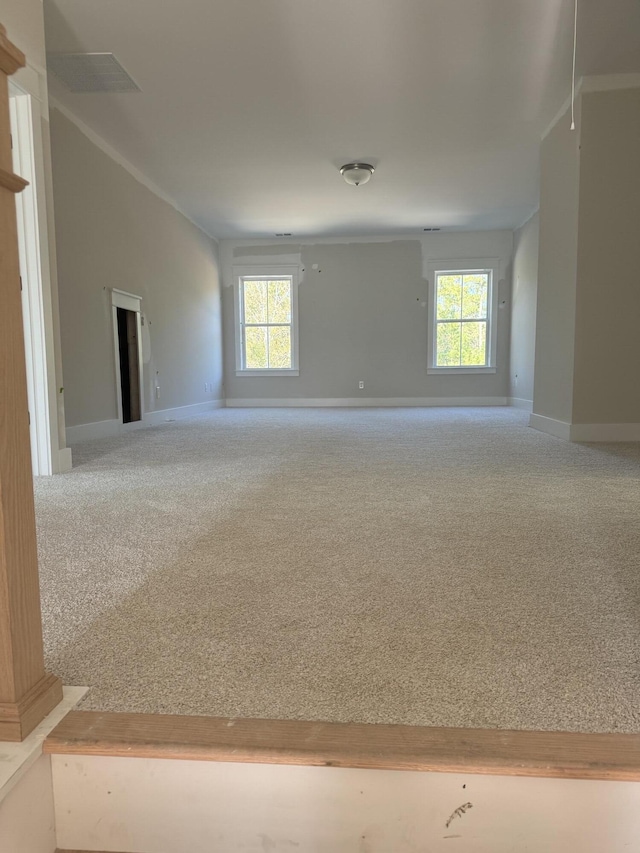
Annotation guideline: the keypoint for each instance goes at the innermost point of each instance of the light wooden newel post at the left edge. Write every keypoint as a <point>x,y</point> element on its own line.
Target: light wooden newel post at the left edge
<point>27,693</point>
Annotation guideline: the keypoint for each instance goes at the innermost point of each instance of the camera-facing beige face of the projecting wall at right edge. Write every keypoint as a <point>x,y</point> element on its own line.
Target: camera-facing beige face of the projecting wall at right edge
<point>608,294</point>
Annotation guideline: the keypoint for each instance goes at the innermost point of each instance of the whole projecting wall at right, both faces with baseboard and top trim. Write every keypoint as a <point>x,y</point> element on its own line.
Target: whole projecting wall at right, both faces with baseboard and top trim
<point>588,307</point>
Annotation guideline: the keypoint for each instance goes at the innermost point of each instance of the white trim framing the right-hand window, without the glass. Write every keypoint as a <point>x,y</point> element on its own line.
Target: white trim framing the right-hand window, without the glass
<point>493,267</point>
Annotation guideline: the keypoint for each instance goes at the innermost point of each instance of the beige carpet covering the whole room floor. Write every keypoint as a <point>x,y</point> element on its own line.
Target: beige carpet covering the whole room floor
<point>422,566</point>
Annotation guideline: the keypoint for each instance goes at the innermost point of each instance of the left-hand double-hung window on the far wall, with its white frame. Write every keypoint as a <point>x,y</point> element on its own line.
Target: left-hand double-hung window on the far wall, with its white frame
<point>267,323</point>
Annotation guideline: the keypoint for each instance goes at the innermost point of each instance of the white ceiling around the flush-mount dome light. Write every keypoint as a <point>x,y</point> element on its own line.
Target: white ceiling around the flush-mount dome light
<point>249,107</point>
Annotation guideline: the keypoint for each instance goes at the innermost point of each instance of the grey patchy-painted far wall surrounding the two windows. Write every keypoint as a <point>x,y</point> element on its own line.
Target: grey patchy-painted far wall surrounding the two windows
<point>363,317</point>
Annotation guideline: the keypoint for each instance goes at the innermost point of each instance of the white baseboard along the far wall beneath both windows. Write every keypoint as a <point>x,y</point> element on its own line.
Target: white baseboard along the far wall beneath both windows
<point>361,402</point>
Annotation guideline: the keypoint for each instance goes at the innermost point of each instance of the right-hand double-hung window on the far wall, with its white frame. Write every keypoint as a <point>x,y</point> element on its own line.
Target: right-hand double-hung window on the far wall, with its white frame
<point>462,308</point>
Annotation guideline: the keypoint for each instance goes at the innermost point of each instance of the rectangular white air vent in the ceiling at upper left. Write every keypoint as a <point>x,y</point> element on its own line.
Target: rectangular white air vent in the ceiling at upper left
<point>91,72</point>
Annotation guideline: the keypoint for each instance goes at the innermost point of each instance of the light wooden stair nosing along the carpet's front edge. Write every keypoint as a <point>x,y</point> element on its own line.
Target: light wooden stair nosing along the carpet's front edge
<point>567,755</point>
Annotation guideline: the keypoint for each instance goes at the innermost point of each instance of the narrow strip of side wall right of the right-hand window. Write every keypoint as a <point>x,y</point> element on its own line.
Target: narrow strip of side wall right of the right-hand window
<point>523,310</point>
